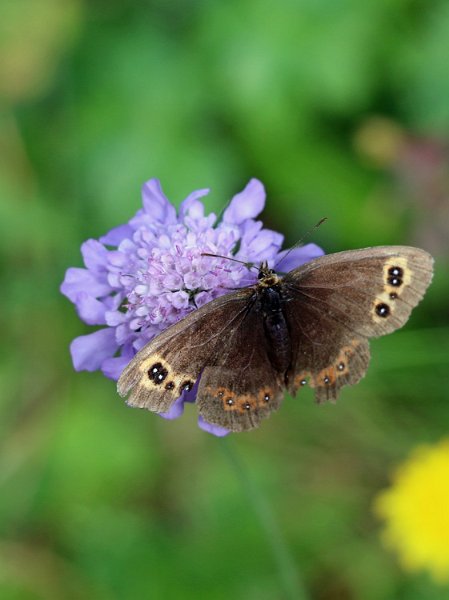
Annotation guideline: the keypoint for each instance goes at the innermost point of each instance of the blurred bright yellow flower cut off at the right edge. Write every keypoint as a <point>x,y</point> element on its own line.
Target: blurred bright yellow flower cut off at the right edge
<point>416,511</point>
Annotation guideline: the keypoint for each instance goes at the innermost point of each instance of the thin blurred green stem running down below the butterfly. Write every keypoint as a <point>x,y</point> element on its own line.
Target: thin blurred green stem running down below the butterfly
<point>288,571</point>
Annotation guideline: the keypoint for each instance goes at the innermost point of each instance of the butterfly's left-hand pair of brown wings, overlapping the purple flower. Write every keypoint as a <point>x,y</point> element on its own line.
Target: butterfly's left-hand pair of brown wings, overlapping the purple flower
<point>223,342</point>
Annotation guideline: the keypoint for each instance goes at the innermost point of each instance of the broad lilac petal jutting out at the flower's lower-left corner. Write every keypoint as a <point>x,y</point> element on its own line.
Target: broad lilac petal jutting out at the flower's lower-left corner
<point>89,351</point>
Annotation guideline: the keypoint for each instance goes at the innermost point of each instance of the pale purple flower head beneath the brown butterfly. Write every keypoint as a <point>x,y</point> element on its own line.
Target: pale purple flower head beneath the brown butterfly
<point>142,277</point>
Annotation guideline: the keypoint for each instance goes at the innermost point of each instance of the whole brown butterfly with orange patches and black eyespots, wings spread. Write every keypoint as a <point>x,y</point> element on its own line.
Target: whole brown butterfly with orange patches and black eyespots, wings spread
<point>309,327</point>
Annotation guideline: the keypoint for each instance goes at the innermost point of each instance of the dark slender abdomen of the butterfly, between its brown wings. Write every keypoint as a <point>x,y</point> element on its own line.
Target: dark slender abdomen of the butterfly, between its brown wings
<point>276,329</point>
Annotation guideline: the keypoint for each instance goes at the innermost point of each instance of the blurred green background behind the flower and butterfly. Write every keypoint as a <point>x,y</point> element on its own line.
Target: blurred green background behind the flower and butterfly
<point>341,108</point>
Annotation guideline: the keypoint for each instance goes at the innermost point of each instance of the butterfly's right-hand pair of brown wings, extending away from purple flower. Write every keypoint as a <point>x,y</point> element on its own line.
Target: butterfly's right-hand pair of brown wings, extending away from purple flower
<point>336,302</point>
